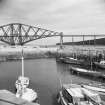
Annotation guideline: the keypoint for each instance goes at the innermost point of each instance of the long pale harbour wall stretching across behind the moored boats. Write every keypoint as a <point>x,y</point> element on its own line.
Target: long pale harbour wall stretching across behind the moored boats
<point>12,53</point>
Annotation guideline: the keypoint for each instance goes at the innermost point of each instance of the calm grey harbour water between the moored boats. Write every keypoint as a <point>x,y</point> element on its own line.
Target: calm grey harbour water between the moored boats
<point>46,77</point>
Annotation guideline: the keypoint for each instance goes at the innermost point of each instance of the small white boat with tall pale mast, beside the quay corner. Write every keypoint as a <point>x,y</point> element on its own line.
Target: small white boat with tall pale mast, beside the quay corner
<point>23,91</point>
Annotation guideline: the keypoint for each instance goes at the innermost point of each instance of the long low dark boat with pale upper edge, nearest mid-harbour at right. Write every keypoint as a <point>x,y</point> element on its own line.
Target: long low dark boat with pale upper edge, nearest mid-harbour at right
<point>81,71</point>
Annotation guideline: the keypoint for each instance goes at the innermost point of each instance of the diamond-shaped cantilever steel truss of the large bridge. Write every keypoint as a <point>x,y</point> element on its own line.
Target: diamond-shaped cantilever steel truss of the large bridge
<point>19,34</point>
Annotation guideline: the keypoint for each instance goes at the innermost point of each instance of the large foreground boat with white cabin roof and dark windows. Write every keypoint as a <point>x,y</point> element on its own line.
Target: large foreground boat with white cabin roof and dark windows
<point>73,94</point>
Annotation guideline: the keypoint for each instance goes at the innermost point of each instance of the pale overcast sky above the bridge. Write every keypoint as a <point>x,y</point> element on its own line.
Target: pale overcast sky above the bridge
<point>67,16</point>
